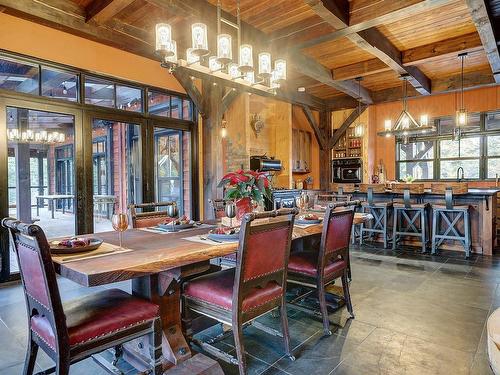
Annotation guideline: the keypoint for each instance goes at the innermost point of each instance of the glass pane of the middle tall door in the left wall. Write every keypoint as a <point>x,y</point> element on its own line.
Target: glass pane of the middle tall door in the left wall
<point>117,176</point>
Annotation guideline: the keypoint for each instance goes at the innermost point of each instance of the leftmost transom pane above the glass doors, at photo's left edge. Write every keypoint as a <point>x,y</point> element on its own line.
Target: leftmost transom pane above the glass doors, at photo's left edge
<point>19,76</point>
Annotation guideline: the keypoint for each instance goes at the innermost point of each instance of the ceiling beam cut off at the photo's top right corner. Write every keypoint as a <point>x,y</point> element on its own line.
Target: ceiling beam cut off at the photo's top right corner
<point>485,28</point>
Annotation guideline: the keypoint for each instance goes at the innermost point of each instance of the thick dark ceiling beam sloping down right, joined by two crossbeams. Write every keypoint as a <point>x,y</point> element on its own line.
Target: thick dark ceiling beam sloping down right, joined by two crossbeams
<point>375,43</point>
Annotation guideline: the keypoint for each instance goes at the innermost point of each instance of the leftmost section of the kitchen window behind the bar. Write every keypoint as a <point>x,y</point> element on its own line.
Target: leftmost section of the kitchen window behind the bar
<point>416,160</point>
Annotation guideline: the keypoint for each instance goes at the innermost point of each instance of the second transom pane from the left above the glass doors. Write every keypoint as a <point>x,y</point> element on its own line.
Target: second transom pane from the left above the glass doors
<point>59,84</point>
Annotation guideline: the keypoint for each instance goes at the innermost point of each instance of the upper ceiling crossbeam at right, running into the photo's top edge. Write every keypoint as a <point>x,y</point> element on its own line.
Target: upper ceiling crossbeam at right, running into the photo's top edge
<point>405,9</point>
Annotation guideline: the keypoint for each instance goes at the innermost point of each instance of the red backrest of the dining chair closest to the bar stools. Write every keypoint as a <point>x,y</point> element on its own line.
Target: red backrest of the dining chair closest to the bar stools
<point>336,234</point>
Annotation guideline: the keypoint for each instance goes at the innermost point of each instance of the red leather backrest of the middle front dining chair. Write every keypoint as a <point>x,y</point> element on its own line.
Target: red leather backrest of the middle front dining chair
<point>263,252</point>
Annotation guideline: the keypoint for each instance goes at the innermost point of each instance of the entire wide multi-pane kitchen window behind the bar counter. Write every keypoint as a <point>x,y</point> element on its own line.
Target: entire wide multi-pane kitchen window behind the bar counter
<point>439,156</point>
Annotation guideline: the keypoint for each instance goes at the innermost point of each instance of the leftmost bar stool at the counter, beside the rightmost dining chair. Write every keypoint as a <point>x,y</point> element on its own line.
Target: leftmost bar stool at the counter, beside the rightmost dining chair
<point>379,211</point>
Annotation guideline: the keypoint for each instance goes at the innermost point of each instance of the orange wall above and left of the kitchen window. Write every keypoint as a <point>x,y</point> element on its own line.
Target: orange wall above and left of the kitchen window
<point>381,148</point>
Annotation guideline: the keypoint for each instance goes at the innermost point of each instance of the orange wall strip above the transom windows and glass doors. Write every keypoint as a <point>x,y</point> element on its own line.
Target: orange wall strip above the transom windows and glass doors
<point>28,38</point>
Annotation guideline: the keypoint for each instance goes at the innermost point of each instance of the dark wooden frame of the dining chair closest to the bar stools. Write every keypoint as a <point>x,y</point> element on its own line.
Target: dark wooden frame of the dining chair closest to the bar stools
<point>320,281</point>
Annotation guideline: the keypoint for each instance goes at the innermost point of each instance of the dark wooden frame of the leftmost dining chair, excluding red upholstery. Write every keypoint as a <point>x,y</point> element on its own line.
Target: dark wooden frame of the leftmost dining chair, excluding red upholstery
<point>32,237</point>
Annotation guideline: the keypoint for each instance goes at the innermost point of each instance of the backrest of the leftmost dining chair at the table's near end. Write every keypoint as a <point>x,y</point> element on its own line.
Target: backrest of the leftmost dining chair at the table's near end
<point>38,277</point>
